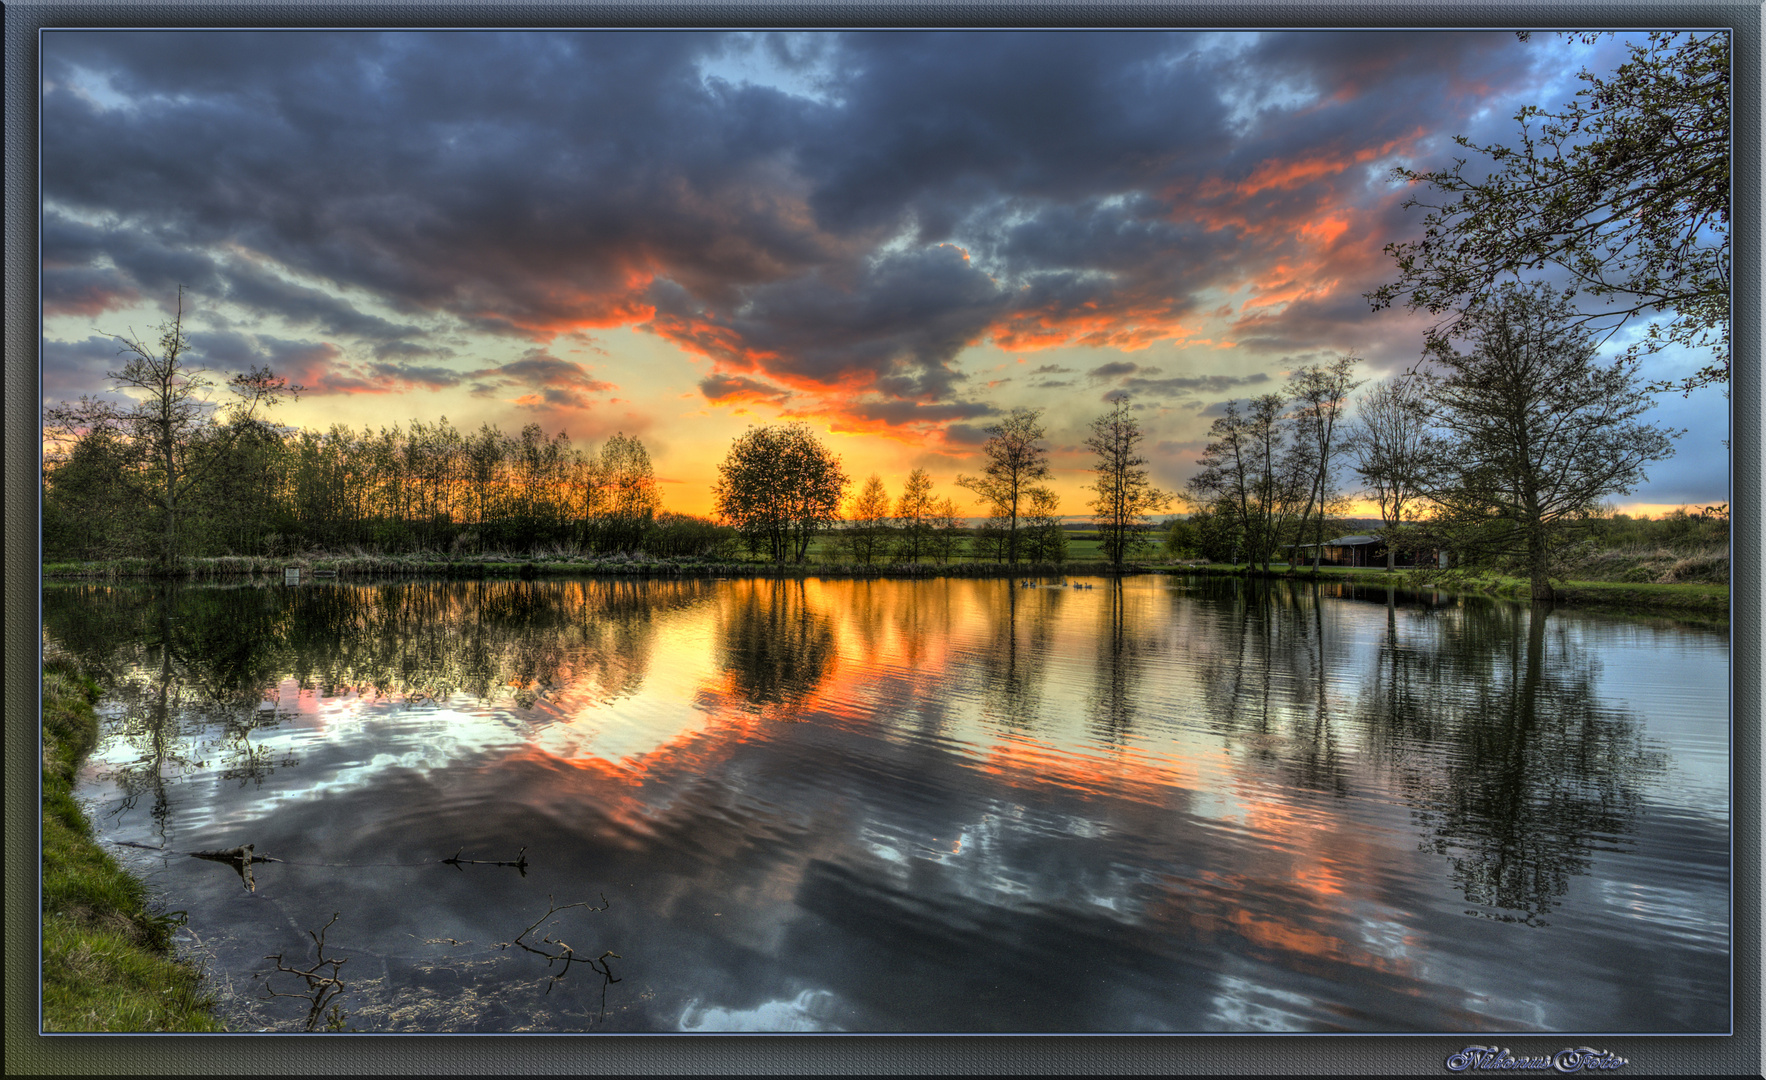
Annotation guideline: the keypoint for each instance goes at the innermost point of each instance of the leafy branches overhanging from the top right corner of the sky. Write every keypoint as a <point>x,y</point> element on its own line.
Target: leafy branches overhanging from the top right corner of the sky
<point>1624,190</point>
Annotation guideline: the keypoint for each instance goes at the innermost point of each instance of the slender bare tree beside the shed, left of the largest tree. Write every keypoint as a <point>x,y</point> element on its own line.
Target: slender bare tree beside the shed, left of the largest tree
<point>1391,446</point>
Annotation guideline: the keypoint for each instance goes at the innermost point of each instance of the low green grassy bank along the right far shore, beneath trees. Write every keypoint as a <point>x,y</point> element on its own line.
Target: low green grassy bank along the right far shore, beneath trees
<point>1698,599</point>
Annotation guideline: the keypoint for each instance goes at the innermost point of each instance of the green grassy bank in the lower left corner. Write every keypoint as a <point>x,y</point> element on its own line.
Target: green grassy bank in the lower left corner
<point>107,956</point>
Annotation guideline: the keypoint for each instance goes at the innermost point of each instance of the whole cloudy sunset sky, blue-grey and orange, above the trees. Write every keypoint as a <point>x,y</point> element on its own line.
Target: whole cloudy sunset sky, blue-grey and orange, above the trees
<point>894,237</point>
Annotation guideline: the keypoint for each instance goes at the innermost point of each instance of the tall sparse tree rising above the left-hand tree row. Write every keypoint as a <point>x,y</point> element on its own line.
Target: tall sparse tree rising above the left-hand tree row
<point>172,414</point>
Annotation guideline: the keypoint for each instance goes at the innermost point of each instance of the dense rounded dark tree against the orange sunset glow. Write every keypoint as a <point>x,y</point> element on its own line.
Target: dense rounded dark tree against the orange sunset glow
<point>780,486</point>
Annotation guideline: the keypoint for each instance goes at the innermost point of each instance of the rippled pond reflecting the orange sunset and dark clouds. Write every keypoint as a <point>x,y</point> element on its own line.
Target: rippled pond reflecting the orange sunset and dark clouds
<point>946,806</point>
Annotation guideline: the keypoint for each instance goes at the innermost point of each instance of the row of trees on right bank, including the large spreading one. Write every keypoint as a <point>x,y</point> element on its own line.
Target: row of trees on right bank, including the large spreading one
<point>1500,447</point>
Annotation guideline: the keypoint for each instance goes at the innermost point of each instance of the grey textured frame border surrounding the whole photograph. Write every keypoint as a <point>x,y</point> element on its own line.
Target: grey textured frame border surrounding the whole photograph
<point>1739,1054</point>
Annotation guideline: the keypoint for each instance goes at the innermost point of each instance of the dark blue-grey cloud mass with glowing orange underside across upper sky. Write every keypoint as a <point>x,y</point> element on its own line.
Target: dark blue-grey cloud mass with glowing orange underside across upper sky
<point>933,191</point>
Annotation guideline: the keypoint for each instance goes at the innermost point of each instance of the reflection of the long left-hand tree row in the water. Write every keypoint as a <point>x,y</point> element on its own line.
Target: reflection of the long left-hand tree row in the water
<point>195,673</point>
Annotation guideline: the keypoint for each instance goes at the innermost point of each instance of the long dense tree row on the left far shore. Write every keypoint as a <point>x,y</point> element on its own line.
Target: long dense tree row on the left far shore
<point>174,474</point>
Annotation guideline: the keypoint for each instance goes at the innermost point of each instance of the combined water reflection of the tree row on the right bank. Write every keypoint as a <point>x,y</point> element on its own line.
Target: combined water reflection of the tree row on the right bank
<point>1483,719</point>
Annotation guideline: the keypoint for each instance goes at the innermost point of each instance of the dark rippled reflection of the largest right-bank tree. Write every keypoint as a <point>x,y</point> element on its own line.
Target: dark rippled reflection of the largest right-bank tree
<point>1518,776</point>
